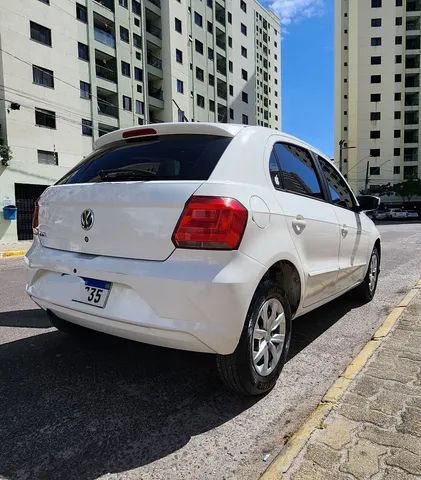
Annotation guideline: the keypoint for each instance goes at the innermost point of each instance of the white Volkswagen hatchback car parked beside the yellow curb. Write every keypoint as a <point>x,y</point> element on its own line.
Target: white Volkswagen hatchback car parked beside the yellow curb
<point>202,237</point>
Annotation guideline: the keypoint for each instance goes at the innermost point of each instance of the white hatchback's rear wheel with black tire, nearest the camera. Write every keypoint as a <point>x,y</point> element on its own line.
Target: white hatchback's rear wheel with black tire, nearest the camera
<point>239,371</point>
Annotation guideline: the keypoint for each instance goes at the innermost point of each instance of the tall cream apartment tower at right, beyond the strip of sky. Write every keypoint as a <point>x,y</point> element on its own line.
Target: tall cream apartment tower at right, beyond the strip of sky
<point>377,90</point>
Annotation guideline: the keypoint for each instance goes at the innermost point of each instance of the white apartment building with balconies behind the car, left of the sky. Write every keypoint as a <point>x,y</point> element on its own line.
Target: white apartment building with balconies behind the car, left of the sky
<point>71,71</point>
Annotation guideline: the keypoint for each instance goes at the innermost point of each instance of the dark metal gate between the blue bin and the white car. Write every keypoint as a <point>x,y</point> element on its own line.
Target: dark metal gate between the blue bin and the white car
<point>26,195</point>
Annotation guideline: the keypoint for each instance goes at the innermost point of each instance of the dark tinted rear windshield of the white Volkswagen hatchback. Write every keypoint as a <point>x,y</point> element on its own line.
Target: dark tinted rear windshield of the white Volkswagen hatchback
<point>167,157</point>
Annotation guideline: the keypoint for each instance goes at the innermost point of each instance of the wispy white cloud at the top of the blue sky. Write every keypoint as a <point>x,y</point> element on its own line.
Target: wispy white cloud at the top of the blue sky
<point>293,10</point>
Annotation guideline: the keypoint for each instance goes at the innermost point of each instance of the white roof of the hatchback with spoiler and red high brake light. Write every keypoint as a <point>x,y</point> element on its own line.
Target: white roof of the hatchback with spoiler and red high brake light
<point>204,128</point>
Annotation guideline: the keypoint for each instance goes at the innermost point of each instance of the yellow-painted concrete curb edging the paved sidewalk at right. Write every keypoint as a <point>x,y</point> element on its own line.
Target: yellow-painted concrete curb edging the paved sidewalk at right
<point>316,418</point>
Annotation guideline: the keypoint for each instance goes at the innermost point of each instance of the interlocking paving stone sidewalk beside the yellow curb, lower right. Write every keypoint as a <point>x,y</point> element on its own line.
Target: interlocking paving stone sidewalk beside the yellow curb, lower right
<point>375,430</point>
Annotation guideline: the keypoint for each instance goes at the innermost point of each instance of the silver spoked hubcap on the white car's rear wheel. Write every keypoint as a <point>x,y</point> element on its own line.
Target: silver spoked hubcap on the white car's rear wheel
<point>268,337</point>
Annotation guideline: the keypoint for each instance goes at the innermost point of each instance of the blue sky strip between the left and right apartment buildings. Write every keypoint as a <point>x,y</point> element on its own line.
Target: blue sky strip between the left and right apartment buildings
<point>307,70</point>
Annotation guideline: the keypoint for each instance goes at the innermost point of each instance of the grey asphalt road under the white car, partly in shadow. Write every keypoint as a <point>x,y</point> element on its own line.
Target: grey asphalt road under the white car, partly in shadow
<point>109,408</point>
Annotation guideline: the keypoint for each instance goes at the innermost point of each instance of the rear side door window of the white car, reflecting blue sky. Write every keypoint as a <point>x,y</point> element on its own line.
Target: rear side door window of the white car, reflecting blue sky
<point>298,173</point>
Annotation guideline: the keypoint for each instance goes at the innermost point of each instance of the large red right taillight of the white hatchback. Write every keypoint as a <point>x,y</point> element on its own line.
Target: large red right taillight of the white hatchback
<point>211,223</point>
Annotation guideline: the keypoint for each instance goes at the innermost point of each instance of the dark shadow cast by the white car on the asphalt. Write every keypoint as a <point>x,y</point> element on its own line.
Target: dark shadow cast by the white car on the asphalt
<point>84,408</point>
